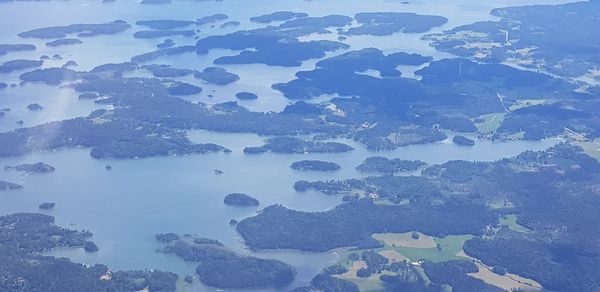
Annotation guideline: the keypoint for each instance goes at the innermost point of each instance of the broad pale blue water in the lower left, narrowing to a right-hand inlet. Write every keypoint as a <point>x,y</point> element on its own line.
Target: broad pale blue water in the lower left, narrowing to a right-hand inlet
<point>183,195</point>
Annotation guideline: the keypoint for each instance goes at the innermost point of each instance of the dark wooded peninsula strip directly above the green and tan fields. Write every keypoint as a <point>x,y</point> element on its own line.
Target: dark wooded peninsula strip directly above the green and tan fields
<point>352,223</point>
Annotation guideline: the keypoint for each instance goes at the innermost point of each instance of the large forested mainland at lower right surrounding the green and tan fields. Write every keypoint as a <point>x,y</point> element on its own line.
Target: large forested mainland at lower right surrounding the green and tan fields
<point>460,197</point>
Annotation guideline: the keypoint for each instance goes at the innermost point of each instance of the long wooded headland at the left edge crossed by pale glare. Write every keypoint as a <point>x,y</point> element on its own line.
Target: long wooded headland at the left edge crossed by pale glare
<point>113,139</point>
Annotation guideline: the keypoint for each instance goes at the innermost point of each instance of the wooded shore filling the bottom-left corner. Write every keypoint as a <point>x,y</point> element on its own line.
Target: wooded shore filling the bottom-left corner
<point>23,236</point>
